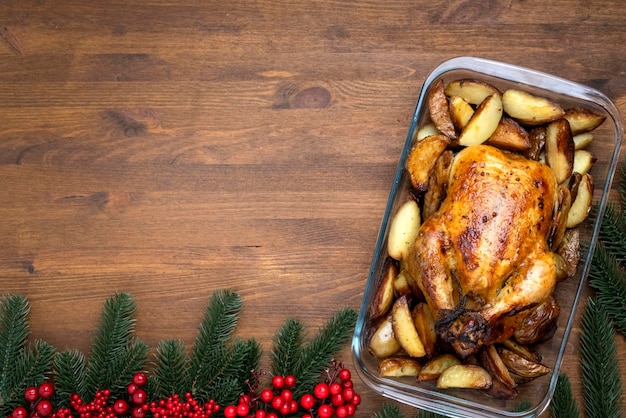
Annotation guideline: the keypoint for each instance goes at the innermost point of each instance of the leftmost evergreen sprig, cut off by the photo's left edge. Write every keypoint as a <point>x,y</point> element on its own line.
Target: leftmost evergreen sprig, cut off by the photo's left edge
<point>21,365</point>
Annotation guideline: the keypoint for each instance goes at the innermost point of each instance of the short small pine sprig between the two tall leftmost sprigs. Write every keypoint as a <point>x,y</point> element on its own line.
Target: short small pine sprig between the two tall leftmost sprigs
<point>69,369</point>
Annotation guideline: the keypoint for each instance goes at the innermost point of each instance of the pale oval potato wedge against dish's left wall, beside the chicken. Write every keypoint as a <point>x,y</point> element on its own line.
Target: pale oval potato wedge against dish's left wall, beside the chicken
<point>403,230</point>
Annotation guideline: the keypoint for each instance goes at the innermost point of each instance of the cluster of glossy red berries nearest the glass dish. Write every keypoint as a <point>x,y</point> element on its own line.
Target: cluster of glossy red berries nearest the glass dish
<point>335,397</point>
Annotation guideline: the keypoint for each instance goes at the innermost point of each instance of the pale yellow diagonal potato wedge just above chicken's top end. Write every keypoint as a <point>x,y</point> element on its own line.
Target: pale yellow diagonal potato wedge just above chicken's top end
<point>483,123</point>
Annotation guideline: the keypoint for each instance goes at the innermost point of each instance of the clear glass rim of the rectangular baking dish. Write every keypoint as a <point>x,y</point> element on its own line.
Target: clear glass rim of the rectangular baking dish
<point>441,402</point>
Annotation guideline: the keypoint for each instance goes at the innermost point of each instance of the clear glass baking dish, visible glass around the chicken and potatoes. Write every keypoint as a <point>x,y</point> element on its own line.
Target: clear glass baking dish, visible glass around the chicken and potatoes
<point>534,396</point>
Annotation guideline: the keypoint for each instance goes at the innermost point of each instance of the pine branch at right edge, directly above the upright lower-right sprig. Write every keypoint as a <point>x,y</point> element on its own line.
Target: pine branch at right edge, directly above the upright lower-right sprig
<point>609,280</point>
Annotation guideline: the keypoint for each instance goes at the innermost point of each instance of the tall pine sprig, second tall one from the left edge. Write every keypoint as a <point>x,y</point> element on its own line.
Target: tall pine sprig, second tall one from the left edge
<point>113,346</point>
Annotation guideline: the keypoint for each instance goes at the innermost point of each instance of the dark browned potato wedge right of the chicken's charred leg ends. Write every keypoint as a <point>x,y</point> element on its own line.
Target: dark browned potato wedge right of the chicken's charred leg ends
<point>539,324</point>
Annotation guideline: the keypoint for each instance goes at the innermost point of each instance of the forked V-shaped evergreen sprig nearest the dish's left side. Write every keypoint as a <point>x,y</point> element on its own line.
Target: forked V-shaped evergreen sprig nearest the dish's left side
<point>304,361</point>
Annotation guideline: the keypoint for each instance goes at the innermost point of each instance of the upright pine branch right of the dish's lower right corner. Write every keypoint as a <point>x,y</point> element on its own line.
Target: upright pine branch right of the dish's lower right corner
<point>602,388</point>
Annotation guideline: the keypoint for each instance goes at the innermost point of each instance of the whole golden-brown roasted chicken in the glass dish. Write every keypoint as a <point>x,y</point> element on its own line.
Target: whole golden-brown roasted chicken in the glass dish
<point>484,256</point>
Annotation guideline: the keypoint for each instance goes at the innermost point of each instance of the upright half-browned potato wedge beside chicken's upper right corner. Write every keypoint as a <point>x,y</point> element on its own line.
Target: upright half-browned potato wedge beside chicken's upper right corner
<point>560,149</point>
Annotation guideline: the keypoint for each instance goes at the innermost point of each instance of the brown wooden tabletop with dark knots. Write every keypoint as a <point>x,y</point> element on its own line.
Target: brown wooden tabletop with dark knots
<point>172,148</point>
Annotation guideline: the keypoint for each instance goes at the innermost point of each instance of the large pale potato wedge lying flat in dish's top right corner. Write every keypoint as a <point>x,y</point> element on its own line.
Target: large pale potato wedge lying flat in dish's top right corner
<point>529,109</point>
